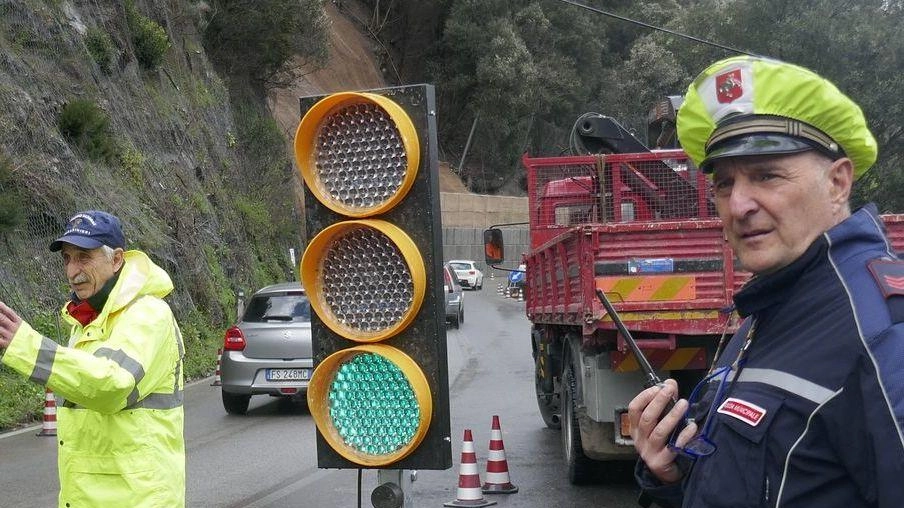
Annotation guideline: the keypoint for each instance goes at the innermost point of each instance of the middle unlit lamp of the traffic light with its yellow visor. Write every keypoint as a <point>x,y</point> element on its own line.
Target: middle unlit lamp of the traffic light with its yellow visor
<point>365,279</point>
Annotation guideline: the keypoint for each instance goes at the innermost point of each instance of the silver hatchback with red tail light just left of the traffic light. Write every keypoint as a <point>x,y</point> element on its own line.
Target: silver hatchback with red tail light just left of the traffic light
<point>269,350</point>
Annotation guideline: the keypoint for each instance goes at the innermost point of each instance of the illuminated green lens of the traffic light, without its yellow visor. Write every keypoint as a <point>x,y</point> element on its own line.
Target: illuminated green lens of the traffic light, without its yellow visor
<point>372,405</point>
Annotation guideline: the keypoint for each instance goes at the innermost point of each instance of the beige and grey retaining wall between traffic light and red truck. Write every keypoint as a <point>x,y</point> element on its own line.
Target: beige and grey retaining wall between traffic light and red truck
<point>465,216</point>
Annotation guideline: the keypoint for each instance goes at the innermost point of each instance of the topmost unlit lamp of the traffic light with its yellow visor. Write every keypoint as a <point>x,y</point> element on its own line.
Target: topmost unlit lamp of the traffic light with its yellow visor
<point>357,152</point>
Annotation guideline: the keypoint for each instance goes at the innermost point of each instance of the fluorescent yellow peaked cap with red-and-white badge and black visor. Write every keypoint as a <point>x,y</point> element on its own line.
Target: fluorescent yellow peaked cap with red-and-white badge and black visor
<point>747,105</point>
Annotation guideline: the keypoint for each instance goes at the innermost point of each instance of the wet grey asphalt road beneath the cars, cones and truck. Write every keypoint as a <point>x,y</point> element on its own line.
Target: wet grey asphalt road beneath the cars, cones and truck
<point>268,458</point>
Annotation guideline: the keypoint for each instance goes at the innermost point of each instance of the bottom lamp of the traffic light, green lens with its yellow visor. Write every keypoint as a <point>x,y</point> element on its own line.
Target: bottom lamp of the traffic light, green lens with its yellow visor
<point>371,403</point>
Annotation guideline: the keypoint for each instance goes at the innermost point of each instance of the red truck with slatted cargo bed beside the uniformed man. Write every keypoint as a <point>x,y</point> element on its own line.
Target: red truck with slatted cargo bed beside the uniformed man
<point>641,227</point>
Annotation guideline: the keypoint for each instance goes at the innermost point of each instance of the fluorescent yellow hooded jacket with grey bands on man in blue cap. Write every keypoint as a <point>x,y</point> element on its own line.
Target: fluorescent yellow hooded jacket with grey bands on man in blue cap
<point>120,420</point>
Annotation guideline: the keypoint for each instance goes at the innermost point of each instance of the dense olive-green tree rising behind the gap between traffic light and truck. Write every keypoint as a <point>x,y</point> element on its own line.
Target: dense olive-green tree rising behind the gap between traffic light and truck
<point>525,70</point>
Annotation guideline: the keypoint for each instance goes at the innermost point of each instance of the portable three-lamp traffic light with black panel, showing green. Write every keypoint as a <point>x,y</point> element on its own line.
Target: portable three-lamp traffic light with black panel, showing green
<point>372,271</point>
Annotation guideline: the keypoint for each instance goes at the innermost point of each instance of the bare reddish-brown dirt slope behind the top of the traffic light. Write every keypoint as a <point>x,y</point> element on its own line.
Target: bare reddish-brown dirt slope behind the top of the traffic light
<point>352,66</point>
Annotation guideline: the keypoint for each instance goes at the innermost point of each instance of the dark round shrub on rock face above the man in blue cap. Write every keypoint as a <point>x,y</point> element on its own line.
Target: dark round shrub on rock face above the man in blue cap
<point>86,126</point>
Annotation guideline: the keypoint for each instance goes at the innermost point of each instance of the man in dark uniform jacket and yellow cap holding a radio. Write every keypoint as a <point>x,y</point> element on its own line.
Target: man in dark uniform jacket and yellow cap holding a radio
<point>805,405</point>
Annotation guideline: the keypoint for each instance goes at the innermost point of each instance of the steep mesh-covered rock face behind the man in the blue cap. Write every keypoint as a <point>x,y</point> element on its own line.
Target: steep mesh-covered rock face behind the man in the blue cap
<point>159,147</point>
